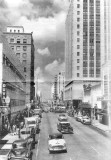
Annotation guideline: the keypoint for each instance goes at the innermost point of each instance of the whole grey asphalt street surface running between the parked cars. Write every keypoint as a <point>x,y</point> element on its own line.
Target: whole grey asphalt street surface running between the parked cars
<point>85,144</point>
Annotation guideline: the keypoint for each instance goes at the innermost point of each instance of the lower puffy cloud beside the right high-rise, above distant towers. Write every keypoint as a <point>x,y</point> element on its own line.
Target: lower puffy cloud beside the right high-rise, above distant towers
<point>55,67</point>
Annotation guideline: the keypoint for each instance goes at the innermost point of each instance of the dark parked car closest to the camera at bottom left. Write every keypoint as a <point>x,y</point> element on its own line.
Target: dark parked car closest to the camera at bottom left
<point>21,149</point>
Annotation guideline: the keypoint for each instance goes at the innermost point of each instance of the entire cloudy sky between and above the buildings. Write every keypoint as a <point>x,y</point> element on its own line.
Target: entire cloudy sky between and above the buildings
<point>46,19</point>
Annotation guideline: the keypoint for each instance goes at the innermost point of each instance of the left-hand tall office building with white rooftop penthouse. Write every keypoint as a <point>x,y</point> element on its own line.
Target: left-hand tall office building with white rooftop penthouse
<point>23,46</point>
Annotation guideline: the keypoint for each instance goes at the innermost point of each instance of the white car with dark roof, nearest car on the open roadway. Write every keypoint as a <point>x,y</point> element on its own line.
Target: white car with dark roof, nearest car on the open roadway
<point>56,142</point>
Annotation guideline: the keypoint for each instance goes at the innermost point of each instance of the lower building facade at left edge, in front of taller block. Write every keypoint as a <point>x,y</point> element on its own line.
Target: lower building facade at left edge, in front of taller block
<point>12,82</point>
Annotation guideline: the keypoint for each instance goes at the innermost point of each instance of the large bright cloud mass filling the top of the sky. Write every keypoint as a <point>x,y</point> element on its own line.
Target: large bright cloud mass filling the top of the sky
<point>44,17</point>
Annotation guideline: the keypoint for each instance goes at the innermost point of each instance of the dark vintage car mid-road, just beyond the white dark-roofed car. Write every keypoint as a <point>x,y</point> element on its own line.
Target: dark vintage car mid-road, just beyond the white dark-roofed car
<point>64,127</point>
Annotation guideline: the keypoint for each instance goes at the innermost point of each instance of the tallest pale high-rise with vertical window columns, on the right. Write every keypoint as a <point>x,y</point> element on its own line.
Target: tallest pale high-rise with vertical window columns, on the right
<point>82,47</point>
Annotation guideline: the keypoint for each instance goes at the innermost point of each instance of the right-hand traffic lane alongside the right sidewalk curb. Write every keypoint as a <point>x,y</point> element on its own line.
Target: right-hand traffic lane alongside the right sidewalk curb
<point>99,143</point>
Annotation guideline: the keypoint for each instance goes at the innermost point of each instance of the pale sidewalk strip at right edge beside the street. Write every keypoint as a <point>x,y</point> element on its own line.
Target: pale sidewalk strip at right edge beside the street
<point>101,127</point>
